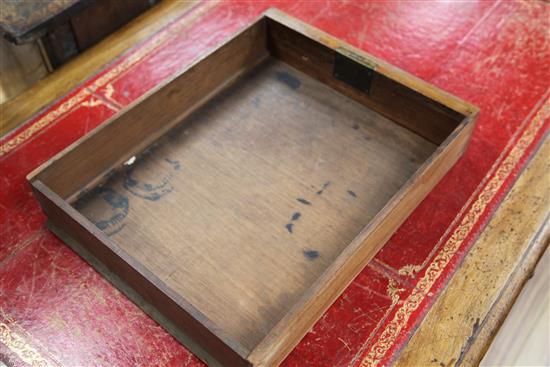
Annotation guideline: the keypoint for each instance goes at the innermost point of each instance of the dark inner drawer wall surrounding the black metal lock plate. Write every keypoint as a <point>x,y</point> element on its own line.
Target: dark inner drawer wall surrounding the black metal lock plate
<point>426,117</point>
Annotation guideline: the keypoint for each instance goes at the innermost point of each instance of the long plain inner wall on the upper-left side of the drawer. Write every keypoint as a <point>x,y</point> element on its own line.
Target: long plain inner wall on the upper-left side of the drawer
<point>90,159</point>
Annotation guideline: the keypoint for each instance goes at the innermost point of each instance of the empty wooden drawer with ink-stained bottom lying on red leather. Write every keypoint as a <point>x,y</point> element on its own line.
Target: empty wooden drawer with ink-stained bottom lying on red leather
<point>235,202</point>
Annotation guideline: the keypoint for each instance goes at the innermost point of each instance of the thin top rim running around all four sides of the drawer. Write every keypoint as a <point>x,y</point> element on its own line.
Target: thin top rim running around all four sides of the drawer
<point>275,345</point>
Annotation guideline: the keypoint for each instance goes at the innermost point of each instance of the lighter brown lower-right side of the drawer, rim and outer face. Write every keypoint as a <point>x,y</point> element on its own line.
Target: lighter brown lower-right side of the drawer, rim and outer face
<point>280,342</point>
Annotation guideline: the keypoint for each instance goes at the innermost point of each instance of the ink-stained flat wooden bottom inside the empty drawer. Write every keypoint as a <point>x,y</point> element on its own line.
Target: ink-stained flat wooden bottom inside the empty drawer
<point>243,205</point>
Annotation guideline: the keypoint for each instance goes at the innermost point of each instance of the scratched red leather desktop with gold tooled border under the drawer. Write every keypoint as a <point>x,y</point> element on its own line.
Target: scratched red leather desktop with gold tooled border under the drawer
<point>54,309</point>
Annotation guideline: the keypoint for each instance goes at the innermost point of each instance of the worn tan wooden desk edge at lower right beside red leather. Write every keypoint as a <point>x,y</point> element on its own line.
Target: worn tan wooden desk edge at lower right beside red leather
<point>463,321</point>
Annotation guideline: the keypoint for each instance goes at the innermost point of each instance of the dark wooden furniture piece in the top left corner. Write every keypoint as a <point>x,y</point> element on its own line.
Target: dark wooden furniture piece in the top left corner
<point>65,28</point>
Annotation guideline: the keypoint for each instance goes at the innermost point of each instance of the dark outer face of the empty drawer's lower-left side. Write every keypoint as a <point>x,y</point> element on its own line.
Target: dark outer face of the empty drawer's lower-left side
<point>222,349</point>
